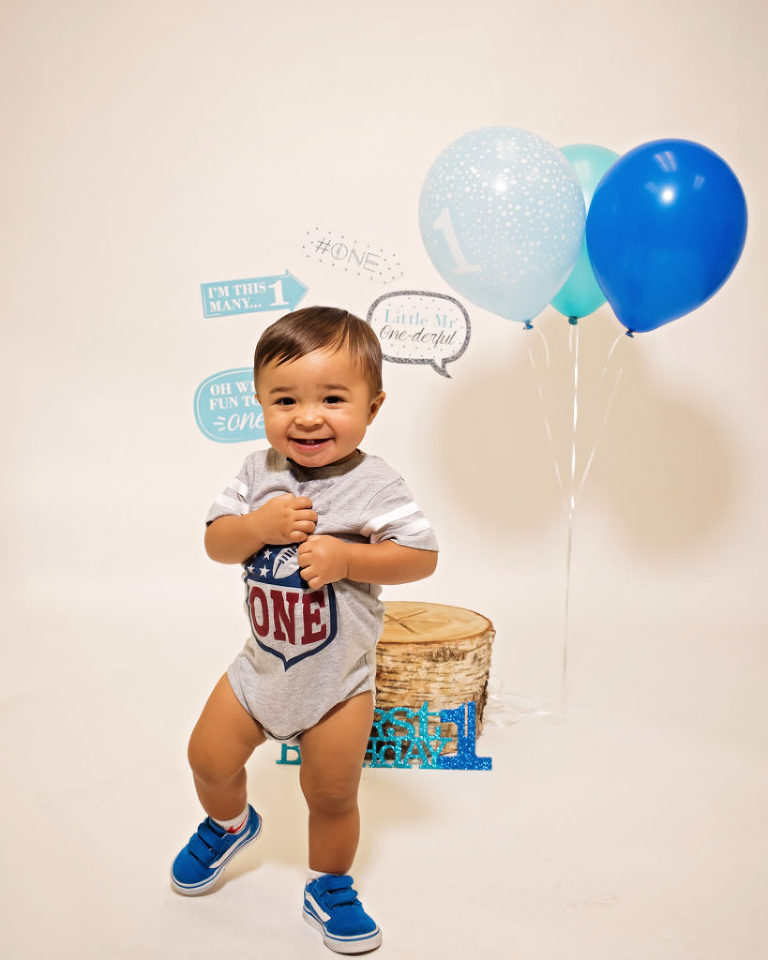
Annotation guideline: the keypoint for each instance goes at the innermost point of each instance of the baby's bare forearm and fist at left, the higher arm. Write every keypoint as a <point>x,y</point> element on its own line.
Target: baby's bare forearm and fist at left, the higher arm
<point>283,519</point>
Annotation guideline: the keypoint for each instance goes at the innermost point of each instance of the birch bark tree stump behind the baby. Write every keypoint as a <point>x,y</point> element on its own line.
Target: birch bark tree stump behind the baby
<point>433,653</point>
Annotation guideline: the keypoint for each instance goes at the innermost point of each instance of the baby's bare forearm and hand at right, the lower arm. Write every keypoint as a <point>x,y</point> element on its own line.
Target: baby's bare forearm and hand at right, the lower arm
<point>325,559</point>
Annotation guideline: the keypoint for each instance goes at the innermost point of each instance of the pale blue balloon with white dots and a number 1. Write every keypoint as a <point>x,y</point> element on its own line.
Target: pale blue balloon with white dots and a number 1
<point>502,217</point>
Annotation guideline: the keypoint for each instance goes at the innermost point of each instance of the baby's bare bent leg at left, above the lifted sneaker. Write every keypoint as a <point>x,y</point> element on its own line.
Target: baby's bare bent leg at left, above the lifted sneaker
<point>223,739</point>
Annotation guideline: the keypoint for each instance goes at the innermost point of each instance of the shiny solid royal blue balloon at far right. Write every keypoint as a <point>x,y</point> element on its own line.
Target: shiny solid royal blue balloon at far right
<point>665,229</point>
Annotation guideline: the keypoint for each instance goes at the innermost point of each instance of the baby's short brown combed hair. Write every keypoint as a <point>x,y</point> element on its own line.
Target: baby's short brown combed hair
<point>320,328</point>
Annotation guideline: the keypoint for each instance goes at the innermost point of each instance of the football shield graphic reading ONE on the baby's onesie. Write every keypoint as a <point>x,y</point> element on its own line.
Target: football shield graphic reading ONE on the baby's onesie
<point>288,619</point>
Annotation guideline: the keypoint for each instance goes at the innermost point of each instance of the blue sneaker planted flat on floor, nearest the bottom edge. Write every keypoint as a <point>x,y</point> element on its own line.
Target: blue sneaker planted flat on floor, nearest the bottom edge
<point>331,906</point>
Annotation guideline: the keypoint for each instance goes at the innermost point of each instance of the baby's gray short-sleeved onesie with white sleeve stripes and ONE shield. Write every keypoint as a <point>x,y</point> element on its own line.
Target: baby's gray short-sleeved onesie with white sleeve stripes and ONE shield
<point>311,649</point>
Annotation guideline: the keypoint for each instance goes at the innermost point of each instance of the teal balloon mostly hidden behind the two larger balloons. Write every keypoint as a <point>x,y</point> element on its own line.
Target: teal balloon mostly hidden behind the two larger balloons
<point>581,295</point>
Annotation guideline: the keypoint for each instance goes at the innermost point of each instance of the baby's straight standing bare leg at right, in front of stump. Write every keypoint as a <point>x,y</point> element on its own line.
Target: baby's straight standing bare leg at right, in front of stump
<point>332,755</point>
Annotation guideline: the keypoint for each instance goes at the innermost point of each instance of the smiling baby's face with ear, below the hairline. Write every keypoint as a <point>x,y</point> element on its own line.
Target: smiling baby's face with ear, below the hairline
<point>316,408</point>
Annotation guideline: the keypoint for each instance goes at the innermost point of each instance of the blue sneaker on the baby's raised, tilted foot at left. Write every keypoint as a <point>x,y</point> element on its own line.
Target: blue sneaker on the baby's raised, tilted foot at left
<point>199,864</point>
